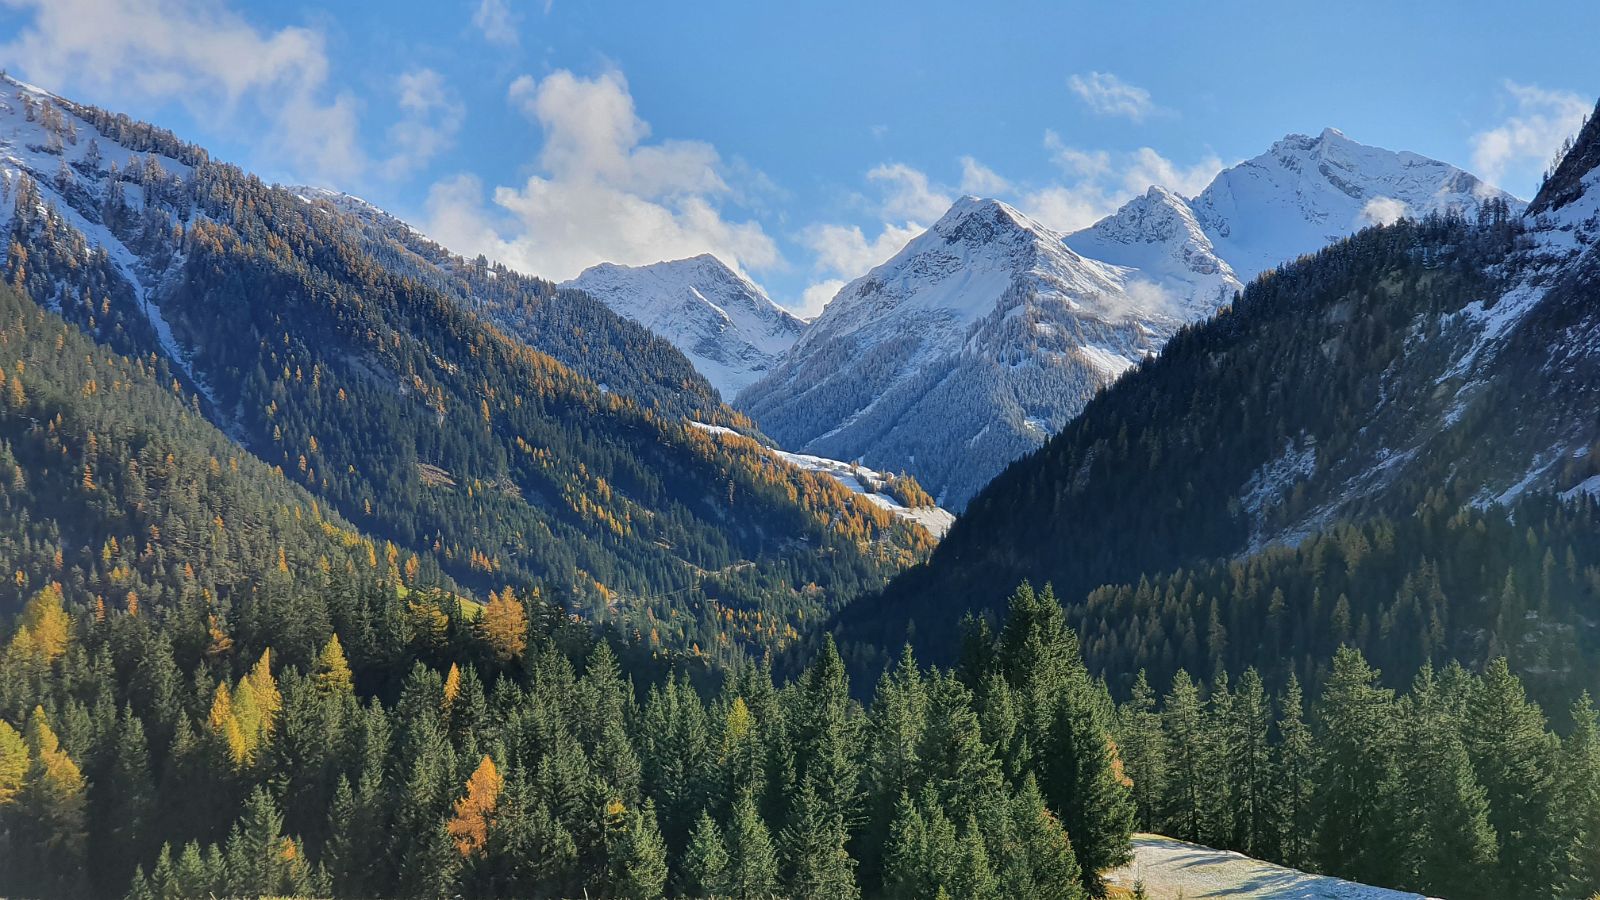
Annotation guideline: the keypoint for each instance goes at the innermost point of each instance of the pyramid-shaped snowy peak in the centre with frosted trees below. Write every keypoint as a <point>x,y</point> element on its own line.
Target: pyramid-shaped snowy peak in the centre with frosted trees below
<point>966,350</point>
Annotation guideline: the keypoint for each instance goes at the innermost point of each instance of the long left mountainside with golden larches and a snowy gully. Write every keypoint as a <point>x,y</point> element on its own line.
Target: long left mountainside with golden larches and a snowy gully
<point>386,392</point>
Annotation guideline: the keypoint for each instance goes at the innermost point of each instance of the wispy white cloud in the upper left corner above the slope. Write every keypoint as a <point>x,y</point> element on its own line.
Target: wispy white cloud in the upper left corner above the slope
<point>202,54</point>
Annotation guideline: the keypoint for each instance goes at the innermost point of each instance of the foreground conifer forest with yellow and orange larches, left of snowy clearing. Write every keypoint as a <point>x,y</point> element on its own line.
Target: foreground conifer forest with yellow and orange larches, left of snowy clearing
<point>422,752</point>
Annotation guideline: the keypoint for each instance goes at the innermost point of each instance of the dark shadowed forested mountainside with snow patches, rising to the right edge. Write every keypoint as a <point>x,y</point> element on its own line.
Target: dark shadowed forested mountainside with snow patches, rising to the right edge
<point>1426,374</point>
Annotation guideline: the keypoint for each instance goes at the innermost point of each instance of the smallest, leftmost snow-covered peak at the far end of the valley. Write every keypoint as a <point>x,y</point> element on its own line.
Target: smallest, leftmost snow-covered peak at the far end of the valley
<point>729,327</point>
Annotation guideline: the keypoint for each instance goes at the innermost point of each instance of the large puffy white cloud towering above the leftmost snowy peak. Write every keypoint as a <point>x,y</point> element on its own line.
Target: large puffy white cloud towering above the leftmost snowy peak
<point>602,191</point>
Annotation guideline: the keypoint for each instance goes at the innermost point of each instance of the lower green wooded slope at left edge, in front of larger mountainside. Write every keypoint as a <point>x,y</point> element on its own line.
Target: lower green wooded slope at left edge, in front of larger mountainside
<point>118,491</point>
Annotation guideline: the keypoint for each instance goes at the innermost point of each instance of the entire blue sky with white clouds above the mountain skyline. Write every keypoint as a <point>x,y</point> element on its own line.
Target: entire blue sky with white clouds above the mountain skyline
<point>802,142</point>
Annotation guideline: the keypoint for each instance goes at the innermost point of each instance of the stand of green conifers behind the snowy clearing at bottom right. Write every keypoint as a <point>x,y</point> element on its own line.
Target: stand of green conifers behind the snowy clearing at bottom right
<point>1454,787</point>
